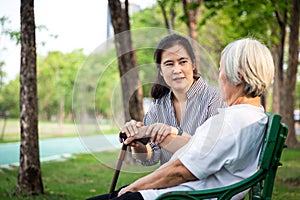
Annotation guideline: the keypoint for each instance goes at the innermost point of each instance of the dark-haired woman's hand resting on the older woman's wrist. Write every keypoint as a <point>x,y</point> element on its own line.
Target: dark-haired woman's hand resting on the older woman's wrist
<point>159,131</point>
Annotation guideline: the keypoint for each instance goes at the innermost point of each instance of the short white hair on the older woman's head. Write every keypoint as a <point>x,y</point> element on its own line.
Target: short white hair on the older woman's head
<point>249,61</point>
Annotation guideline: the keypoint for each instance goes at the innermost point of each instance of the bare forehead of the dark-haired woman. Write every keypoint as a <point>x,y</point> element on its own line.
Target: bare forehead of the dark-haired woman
<point>175,52</point>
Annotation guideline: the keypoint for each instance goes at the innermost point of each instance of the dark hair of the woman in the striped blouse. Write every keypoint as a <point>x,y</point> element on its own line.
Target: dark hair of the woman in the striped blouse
<point>160,88</point>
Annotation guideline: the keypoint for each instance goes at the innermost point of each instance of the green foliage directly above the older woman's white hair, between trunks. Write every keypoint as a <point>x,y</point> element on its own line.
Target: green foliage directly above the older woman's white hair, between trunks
<point>224,21</point>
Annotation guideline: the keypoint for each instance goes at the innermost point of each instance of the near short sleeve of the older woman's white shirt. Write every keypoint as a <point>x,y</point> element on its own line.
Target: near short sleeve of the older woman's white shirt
<point>208,151</point>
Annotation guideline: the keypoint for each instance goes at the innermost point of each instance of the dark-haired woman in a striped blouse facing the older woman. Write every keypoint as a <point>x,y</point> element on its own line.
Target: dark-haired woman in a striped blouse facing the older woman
<point>182,101</point>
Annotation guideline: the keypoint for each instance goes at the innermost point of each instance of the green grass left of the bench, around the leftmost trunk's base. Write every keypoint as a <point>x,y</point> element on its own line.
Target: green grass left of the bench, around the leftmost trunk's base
<point>77,178</point>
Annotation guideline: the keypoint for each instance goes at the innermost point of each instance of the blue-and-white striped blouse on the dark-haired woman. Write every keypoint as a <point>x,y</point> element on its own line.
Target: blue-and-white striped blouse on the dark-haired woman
<point>202,103</point>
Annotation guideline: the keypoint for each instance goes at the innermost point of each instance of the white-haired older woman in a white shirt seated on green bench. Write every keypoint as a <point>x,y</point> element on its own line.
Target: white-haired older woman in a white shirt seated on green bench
<point>225,149</point>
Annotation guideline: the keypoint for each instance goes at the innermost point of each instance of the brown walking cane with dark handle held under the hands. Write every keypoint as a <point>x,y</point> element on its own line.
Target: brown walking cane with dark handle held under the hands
<point>121,159</point>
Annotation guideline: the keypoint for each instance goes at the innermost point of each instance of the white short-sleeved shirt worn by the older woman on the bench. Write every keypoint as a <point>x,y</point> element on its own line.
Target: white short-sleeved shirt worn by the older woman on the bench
<point>223,151</point>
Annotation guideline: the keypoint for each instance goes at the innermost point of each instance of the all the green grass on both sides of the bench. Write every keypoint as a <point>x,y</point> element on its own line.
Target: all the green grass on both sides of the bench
<point>84,176</point>
